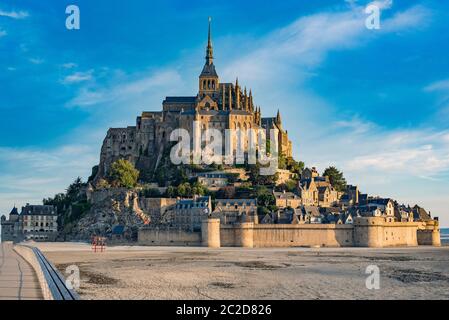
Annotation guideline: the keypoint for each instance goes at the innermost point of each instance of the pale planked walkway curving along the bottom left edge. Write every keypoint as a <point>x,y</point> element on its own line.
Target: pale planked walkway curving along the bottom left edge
<point>18,281</point>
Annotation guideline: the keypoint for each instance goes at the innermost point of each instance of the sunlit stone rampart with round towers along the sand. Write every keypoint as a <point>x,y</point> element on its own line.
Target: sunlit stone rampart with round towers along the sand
<point>376,232</point>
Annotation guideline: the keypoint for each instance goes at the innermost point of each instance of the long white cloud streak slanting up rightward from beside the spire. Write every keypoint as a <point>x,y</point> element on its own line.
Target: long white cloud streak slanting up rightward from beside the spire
<point>306,42</point>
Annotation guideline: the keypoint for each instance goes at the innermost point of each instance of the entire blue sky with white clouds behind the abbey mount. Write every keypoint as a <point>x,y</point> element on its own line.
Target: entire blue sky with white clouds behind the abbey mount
<point>375,103</point>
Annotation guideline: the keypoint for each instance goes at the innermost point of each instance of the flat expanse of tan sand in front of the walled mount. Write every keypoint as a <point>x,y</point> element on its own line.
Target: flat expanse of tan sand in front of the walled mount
<point>235,273</point>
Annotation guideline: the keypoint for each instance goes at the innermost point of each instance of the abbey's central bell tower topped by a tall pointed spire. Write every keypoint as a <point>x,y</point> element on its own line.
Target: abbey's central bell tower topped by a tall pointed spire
<point>208,80</point>
